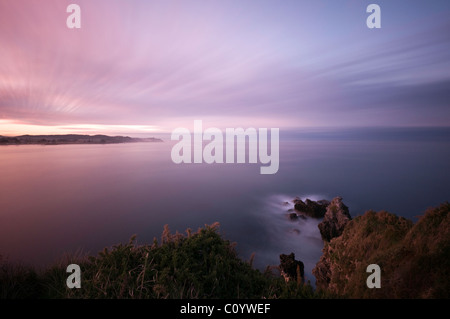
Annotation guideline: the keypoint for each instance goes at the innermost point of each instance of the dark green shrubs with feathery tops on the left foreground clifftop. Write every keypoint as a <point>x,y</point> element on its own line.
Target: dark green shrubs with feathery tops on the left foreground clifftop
<point>195,265</point>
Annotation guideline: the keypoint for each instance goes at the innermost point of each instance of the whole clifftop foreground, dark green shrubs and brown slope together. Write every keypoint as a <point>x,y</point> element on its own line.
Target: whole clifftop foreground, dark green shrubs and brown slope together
<point>414,261</point>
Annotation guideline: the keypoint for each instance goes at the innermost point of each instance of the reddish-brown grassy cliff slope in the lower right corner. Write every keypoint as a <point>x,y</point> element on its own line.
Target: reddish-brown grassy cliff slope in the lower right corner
<point>414,258</point>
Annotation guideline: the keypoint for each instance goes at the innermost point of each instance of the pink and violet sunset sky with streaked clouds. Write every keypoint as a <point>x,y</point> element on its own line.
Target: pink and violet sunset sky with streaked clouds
<point>139,67</point>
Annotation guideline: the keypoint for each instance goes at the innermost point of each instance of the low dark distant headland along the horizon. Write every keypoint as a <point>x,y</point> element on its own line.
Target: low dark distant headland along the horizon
<point>71,139</point>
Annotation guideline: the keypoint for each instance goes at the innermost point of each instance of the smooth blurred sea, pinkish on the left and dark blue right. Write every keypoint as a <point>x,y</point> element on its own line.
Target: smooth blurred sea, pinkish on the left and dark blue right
<point>56,199</point>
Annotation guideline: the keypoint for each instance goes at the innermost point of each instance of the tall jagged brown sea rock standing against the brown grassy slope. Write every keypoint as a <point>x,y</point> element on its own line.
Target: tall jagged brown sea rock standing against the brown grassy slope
<point>335,219</point>
